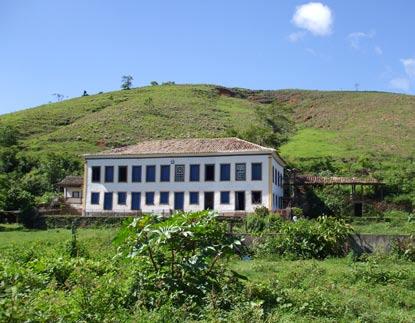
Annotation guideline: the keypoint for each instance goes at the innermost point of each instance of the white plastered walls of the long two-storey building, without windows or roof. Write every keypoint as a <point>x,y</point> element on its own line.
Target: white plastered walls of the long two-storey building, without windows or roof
<point>185,186</point>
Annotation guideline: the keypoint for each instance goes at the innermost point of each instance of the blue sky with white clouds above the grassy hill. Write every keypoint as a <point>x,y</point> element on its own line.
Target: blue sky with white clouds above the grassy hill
<point>66,47</point>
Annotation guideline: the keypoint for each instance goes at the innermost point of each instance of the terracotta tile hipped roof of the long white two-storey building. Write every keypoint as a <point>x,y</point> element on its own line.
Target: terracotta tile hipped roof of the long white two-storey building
<point>188,146</point>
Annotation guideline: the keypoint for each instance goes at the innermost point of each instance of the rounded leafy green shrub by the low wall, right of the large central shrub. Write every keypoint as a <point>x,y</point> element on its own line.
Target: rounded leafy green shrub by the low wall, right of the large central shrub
<point>305,239</point>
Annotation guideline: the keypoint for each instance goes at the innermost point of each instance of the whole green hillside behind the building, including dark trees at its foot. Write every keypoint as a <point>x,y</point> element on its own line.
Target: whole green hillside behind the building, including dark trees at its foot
<point>342,133</point>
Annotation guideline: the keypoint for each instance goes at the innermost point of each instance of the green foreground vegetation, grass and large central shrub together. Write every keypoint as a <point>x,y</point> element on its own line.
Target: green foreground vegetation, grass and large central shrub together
<point>143,275</point>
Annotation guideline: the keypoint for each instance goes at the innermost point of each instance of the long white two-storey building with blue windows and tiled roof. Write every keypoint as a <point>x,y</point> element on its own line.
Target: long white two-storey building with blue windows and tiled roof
<point>225,174</point>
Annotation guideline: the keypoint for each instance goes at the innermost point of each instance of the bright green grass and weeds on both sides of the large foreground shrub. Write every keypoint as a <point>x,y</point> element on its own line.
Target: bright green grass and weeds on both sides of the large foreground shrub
<point>374,289</point>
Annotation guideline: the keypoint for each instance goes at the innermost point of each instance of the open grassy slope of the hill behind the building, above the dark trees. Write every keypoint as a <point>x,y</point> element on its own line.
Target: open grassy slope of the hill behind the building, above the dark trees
<point>330,124</point>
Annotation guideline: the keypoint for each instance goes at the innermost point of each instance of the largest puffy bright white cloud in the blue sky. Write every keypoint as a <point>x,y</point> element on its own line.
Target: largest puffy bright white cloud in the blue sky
<point>315,17</point>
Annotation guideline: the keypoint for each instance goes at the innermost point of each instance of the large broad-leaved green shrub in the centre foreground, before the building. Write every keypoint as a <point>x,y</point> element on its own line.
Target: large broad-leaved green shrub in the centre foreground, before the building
<point>181,261</point>
